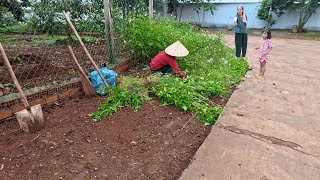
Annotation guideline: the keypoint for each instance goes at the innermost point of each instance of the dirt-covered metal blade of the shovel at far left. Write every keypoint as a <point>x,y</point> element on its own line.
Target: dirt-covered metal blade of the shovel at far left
<point>30,121</point>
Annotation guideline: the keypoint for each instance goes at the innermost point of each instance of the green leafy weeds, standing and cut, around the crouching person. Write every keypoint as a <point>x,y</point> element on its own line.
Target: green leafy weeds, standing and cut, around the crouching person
<point>211,68</point>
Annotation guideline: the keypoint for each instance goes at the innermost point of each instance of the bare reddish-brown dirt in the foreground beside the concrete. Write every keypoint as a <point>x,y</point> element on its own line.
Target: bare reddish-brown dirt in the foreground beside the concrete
<point>155,142</point>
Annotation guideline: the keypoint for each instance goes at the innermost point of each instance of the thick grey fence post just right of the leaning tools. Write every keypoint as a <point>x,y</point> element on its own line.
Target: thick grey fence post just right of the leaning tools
<point>109,29</point>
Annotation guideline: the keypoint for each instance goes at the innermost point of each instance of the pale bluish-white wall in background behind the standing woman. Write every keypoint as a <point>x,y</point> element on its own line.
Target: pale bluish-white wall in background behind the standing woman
<point>225,12</point>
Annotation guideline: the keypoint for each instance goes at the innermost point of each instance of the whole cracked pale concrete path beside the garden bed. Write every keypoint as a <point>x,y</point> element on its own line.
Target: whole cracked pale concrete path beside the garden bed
<point>270,129</point>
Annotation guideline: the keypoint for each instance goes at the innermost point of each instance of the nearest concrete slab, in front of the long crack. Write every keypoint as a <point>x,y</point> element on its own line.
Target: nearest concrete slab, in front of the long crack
<point>229,156</point>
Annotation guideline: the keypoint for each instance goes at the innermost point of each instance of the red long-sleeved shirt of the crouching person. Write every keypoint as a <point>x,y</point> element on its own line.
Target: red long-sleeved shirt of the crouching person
<point>162,59</point>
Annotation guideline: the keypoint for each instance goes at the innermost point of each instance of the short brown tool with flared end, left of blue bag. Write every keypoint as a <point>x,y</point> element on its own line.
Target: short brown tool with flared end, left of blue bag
<point>86,84</point>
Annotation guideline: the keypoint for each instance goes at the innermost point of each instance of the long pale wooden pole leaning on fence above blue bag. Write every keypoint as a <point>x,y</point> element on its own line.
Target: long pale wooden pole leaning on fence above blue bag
<point>84,48</point>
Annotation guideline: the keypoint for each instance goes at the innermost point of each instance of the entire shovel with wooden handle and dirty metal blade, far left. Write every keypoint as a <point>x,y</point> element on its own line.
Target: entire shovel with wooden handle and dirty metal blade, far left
<point>31,118</point>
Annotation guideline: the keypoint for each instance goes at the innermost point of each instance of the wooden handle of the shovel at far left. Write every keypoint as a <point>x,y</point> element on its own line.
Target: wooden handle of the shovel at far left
<point>14,78</point>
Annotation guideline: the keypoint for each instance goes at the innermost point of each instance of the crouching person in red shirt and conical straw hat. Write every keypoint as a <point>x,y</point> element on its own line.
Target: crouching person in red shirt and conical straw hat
<point>165,61</point>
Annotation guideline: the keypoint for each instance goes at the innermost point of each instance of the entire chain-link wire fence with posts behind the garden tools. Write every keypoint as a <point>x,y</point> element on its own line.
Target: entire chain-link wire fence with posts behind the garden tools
<point>35,36</point>
